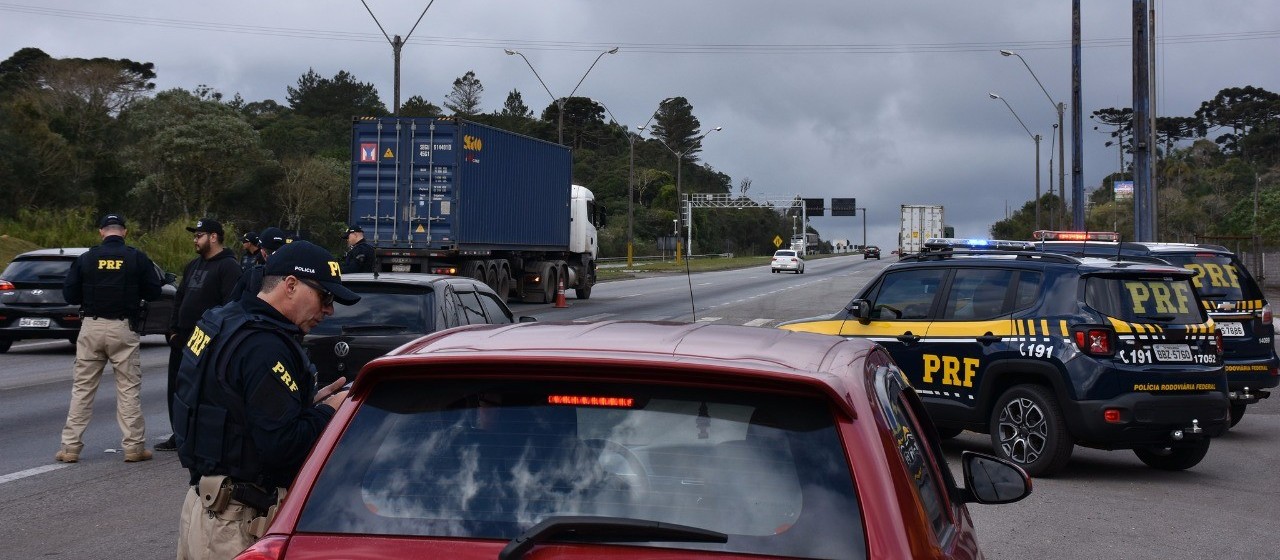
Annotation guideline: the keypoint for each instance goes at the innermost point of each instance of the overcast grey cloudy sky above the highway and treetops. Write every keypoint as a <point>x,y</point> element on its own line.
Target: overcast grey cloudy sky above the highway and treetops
<point>884,102</point>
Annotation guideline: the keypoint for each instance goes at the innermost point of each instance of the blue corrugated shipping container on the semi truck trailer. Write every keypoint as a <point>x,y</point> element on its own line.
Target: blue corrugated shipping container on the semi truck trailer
<point>451,185</point>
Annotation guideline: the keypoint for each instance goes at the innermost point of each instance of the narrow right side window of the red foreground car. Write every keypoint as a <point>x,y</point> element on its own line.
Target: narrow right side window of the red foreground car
<point>922,461</point>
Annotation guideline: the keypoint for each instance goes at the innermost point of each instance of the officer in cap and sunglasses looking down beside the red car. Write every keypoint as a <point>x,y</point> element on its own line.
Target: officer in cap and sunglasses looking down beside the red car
<point>248,392</point>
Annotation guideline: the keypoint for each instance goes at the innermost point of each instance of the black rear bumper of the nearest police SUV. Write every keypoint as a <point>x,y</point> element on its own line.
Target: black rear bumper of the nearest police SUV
<point>1149,420</point>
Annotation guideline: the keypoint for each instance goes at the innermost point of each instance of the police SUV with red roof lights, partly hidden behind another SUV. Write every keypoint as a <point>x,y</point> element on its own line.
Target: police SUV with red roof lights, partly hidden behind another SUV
<point>1228,292</point>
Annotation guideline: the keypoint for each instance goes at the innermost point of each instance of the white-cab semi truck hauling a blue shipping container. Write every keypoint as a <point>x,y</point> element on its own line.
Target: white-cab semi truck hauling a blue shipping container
<point>455,198</point>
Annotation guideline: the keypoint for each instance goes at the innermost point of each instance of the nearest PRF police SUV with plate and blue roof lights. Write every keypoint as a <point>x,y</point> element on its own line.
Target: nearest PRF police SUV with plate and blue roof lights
<point>1046,351</point>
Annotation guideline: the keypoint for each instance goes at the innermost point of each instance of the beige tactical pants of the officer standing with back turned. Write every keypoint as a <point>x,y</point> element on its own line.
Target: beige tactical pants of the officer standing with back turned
<point>102,341</point>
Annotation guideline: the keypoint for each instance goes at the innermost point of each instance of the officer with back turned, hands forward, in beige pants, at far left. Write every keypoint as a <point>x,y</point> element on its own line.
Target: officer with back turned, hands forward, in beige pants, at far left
<point>109,282</point>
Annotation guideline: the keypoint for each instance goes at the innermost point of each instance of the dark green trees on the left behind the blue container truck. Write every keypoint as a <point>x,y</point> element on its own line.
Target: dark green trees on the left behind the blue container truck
<point>95,136</point>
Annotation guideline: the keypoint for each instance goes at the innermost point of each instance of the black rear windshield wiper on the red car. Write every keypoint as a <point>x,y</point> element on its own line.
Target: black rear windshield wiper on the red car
<point>586,529</point>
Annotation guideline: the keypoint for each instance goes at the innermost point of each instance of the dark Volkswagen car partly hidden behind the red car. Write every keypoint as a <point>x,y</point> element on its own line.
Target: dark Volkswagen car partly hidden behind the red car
<point>396,309</point>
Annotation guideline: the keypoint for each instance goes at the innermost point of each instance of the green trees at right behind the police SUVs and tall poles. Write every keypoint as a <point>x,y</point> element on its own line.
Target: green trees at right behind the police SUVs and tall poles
<point>1217,175</point>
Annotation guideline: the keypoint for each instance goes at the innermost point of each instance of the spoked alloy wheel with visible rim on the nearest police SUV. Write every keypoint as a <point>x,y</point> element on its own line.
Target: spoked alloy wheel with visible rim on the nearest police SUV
<point>1027,428</point>
